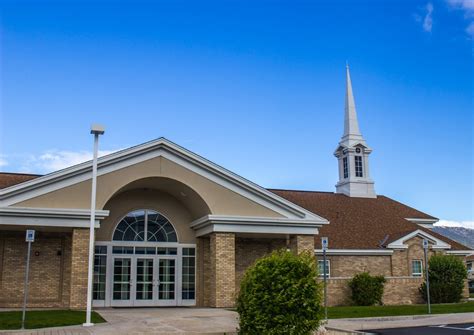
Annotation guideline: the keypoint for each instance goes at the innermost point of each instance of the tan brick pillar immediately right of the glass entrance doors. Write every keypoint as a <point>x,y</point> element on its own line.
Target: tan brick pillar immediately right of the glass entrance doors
<point>222,274</point>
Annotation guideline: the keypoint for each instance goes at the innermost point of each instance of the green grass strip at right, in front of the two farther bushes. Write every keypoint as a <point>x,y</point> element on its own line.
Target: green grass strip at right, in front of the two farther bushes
<point>372,311</point>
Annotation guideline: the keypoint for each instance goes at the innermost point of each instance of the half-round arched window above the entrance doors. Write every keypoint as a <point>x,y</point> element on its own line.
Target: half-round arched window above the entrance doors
<point>145,222</point>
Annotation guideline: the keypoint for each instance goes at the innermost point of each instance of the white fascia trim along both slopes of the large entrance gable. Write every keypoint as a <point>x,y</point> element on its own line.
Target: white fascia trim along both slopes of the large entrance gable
<point>160,147</point>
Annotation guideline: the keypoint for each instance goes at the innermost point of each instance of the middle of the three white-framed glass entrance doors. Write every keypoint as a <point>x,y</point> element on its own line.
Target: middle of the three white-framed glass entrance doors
<point>144,282</point>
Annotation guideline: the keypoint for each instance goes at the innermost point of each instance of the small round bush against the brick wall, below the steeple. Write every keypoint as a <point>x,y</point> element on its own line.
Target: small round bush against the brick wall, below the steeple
<point>367,290</point>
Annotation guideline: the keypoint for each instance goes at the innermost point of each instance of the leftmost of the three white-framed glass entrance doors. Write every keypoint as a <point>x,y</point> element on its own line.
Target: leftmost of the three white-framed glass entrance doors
<point>122,281</point>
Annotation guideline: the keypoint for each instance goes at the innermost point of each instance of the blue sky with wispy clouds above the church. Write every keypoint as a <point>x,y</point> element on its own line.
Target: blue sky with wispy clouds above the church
<point>255,86</point>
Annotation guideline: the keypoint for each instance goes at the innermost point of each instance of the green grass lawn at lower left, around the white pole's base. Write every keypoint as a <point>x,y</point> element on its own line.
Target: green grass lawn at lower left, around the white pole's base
<point>45,318</point>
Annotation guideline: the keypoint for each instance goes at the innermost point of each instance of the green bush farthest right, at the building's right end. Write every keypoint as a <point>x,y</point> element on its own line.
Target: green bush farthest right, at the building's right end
<point>447,274</point>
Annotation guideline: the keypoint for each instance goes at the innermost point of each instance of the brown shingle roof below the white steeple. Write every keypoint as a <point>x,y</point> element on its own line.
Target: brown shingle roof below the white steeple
<point>360,223</point>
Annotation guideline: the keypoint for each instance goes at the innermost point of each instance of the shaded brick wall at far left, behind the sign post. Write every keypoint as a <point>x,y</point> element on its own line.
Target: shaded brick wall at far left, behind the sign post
<point>49,269</point>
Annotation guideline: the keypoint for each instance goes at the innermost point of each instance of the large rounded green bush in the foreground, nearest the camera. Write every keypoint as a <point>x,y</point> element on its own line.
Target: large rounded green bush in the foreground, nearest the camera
<point>279,294</point>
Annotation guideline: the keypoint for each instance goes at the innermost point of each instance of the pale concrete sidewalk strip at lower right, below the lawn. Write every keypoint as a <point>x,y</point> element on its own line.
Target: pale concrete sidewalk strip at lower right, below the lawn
<point>400,321</point>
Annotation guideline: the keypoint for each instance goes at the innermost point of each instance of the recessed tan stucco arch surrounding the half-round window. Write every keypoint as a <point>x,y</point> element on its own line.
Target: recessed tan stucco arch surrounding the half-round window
<point>162,202</point>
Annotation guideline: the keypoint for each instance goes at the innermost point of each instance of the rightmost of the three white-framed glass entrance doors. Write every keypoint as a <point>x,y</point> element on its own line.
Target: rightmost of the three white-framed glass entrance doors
<point>167,281</point>
